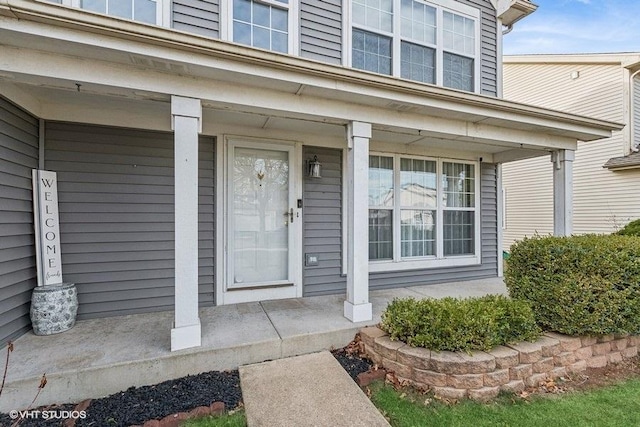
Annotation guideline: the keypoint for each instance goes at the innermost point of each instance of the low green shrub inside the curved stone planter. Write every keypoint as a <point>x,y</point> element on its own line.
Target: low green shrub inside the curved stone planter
<point>459,324</point>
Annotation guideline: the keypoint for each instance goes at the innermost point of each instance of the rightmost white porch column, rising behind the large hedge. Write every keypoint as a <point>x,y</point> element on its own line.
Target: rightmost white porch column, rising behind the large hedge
<point>562,192</point>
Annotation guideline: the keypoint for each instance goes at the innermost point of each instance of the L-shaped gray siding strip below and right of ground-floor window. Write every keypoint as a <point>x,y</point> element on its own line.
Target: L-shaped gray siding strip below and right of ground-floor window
<point>489,245</point>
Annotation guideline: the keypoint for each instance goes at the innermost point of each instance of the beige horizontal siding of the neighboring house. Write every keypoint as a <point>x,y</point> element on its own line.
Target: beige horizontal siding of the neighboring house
<point>603,200</point>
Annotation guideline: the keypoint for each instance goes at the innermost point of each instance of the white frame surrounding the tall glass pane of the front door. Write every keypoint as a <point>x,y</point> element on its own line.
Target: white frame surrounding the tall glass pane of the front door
<point>223,153</point>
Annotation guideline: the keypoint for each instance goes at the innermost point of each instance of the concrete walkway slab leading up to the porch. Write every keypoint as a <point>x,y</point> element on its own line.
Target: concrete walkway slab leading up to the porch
<point>309,390</point>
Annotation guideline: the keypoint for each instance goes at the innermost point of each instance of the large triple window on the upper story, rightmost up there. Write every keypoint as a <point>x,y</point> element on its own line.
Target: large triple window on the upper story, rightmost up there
<point>417,40</point>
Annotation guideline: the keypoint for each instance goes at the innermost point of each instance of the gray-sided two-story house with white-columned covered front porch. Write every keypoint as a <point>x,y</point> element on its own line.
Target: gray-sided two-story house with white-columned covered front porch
<point>181,132</point>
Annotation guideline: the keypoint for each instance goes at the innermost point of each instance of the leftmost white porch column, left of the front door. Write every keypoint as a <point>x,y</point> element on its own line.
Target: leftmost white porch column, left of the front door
<point>186,122</point>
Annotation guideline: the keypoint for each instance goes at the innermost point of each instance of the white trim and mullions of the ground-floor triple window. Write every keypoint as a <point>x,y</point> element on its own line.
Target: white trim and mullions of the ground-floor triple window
<point>439,260</point>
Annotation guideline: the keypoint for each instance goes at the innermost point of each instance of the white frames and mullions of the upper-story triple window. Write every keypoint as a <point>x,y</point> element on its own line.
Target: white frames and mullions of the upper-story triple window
<point>448,5</point>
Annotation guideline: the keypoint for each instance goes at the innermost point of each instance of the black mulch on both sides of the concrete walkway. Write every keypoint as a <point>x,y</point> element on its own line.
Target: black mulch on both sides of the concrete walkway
<point>137,405</point>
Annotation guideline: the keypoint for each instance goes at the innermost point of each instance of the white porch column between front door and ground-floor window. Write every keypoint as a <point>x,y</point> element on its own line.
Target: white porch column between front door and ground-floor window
<point>357,307</point>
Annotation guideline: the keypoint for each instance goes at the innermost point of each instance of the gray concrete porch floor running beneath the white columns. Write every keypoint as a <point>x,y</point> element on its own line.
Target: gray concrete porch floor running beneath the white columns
<point>99,357</point>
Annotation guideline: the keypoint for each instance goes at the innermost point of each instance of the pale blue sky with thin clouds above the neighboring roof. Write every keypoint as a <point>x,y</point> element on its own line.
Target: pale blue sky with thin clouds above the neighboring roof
<point>577,26</point>
